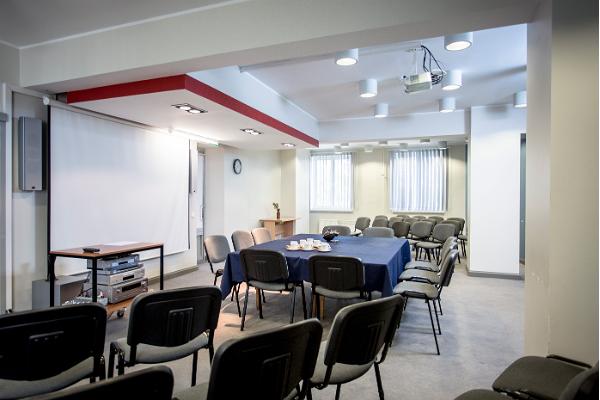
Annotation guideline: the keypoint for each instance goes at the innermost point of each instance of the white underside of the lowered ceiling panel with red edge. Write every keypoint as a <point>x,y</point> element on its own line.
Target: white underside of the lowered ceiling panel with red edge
<point>219,123</point>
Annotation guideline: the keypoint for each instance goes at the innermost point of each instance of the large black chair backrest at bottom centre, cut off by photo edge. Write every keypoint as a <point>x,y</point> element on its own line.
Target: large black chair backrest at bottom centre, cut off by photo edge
<point>266,365</point>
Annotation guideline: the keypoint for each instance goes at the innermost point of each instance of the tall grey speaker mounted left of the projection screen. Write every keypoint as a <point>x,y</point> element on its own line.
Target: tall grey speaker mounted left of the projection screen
<point>31,154</point>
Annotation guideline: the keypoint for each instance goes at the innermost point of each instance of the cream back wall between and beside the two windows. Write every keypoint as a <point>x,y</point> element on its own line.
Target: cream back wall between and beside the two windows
<point>371,190</point>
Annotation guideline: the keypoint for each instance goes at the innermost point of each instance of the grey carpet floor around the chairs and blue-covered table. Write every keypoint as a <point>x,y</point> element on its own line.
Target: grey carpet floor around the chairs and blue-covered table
<point>482,332</point>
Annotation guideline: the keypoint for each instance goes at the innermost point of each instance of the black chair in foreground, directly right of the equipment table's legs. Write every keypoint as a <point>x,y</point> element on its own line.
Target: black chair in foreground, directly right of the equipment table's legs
<point>168,325</point>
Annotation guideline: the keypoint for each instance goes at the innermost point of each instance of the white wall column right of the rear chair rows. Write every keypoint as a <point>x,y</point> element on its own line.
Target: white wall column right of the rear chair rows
<point>494,159</point>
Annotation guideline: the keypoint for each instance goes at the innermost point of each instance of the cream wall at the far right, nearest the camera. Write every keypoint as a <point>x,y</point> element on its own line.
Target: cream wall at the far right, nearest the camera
<point>561,274</point>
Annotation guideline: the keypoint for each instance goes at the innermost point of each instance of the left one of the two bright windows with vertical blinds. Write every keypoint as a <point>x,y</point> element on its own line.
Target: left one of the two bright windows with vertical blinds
<point>331,182</point>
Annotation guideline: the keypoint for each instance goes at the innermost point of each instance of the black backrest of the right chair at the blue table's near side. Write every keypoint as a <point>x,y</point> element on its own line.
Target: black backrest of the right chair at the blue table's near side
<point>336,272</point>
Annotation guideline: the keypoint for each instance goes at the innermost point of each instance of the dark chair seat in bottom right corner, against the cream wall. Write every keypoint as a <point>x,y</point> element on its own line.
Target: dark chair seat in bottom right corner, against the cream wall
<point>543,377</point>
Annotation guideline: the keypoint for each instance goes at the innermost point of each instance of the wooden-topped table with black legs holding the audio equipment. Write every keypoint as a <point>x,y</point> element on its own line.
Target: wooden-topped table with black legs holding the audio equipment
<point>105,251</point>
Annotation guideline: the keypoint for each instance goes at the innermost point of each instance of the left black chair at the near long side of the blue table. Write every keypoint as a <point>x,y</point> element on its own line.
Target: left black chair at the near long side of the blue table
<point>268,270</point>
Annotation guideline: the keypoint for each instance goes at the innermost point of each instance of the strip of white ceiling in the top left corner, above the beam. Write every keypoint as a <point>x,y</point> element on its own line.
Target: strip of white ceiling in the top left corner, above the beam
<point>27,22</point>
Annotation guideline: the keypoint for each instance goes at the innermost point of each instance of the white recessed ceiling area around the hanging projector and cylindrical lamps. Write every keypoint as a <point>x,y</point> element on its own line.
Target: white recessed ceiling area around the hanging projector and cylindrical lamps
<point>493,69</point>
